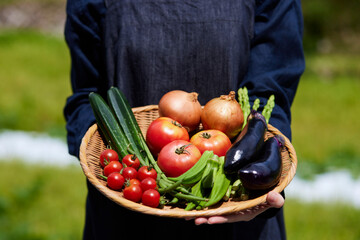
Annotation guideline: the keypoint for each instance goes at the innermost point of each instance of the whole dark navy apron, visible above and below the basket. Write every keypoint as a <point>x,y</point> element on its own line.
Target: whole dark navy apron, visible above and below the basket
<point>154,46</point>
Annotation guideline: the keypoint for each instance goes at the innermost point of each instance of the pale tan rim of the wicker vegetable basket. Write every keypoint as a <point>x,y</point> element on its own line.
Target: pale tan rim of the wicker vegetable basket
<point>179,212</point>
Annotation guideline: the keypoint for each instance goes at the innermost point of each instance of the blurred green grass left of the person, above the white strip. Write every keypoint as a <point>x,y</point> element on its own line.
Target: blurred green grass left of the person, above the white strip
<point>34,73</point>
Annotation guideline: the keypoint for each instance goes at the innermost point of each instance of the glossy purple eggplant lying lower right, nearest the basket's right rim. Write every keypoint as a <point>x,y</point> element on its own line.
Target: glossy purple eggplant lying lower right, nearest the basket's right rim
<point>265,172</point>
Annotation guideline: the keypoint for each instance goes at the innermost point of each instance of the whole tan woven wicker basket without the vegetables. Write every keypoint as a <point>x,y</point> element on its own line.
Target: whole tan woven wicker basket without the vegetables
<point>92,145</point>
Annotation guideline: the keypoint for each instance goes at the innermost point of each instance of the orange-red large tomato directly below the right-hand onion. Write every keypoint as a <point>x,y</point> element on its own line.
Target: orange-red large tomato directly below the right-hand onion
<point>214,140</point>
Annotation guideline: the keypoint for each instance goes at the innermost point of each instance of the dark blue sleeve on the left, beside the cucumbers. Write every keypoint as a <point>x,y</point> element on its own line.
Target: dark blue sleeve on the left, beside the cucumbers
<point>84,39</point>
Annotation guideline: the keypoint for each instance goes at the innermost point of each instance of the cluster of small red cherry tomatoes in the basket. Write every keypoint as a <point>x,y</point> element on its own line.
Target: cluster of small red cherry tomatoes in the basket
<point>137,183</point>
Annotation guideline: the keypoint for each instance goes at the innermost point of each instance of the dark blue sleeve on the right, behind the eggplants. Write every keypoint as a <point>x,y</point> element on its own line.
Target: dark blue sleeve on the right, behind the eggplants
<point>277,59</point>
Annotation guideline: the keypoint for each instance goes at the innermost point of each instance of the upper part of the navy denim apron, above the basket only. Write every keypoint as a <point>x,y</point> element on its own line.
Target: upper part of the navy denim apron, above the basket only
<point>154,46</point>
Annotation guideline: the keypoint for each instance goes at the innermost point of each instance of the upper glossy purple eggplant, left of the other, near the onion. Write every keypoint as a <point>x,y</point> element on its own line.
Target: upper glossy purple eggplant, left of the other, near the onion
<point>247,145</point>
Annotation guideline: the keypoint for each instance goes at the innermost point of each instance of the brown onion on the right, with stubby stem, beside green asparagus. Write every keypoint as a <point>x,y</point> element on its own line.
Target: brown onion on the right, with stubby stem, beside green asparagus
<point>223,113</point>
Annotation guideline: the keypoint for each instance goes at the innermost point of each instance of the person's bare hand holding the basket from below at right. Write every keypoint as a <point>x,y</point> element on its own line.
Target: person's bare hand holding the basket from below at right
<point>273,199</point>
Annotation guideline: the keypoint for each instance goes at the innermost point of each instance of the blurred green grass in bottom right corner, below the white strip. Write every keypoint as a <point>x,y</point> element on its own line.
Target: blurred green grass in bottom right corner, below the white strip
<point>321,221</point>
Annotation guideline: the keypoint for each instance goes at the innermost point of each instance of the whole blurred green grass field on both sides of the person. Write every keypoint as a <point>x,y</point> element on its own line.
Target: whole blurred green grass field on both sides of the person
<point>47,202</point>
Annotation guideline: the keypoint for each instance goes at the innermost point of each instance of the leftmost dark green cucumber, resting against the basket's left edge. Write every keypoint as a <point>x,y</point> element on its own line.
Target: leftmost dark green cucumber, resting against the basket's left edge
<point>108,124</point>
